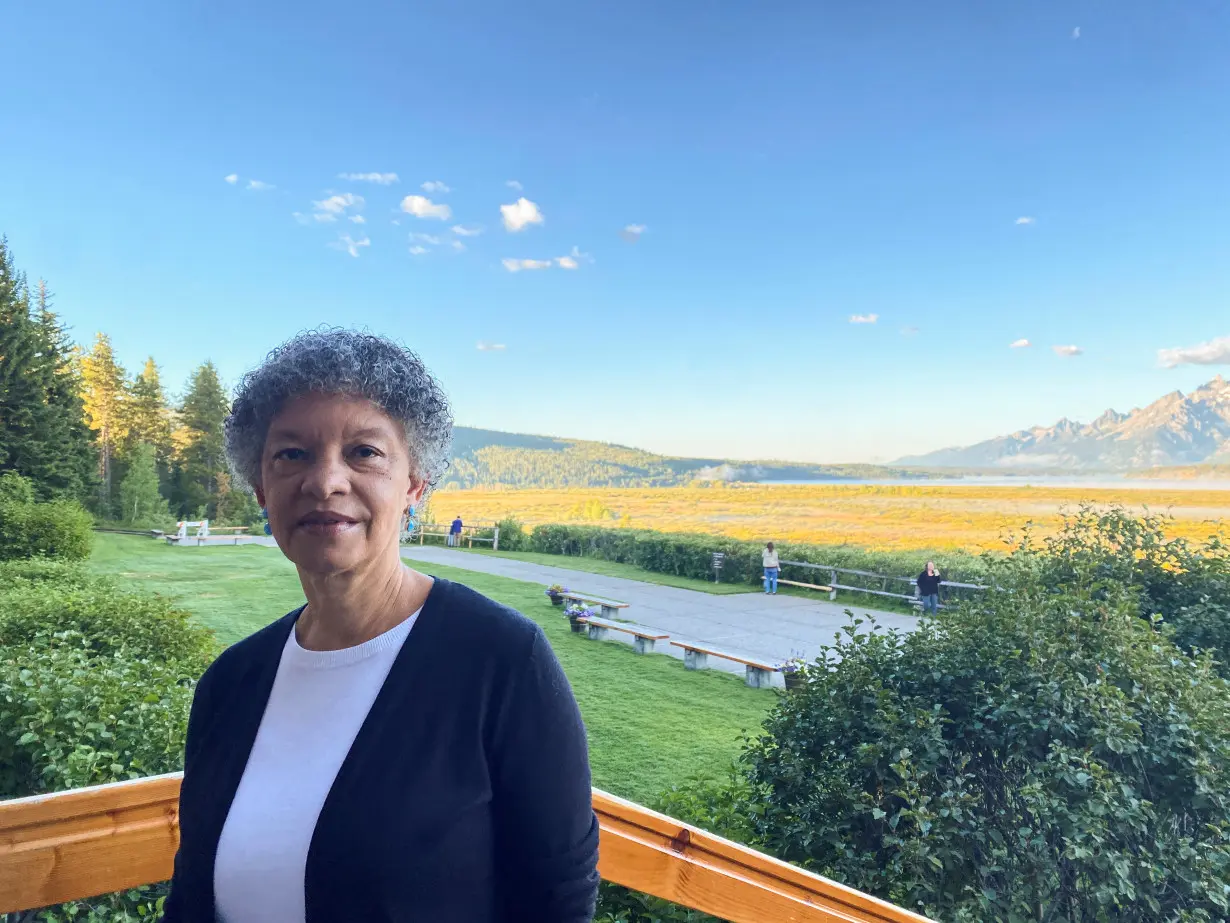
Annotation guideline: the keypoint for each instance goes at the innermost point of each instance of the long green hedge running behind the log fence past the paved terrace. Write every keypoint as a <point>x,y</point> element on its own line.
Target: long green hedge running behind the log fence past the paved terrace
<point>689,556</point>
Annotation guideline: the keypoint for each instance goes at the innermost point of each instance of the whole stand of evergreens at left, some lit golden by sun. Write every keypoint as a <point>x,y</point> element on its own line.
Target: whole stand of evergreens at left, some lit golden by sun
<point>79,426</point>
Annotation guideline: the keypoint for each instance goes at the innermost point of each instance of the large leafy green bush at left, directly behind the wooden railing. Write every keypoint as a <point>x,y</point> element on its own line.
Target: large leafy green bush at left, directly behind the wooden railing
<point>97,685</point>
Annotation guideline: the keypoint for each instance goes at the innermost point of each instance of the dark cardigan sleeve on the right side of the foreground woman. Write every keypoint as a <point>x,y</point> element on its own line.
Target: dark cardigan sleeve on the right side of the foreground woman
<point>542,796</point>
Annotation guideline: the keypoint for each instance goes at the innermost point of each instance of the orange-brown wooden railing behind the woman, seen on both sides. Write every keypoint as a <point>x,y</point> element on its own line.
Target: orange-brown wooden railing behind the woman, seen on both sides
<point>77,845</point>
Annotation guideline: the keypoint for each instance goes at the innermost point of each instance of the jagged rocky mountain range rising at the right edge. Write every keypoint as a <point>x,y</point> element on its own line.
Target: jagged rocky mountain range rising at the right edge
<point>1176,430</point>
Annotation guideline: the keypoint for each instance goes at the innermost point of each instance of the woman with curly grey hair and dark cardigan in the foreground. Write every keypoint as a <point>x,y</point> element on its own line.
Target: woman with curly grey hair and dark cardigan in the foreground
<point>399,749</point>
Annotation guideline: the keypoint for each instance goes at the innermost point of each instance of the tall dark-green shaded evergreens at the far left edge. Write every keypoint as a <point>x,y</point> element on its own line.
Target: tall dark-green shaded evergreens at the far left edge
<point>41,431</point>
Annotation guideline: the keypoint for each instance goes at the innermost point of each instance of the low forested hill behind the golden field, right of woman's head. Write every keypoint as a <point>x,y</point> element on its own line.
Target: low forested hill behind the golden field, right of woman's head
<point>488,458</point>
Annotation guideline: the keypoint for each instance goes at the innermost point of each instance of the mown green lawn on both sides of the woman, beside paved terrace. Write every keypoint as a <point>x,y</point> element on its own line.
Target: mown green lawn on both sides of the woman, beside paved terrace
<point>651,723</point>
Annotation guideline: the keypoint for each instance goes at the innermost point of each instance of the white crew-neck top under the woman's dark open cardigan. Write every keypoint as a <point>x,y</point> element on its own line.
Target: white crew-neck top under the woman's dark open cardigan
<point>317,707</point>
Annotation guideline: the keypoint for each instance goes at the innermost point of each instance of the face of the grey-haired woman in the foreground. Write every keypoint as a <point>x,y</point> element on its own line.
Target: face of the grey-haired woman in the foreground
<point>336,479</point>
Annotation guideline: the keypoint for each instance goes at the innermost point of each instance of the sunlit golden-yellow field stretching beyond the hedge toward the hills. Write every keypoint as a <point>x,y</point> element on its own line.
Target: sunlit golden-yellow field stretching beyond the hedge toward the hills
<point>915,517</point>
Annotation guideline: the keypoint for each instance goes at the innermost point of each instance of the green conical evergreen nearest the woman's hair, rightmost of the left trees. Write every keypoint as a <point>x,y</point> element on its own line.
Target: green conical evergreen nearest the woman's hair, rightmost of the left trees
<point>204,456</point>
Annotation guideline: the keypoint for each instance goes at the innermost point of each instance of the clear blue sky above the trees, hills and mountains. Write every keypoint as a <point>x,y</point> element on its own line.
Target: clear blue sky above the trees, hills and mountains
<point>793,166</point>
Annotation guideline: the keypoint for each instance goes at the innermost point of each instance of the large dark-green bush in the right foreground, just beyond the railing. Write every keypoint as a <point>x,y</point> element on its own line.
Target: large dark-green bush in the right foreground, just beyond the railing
<point>1044,753</point>
